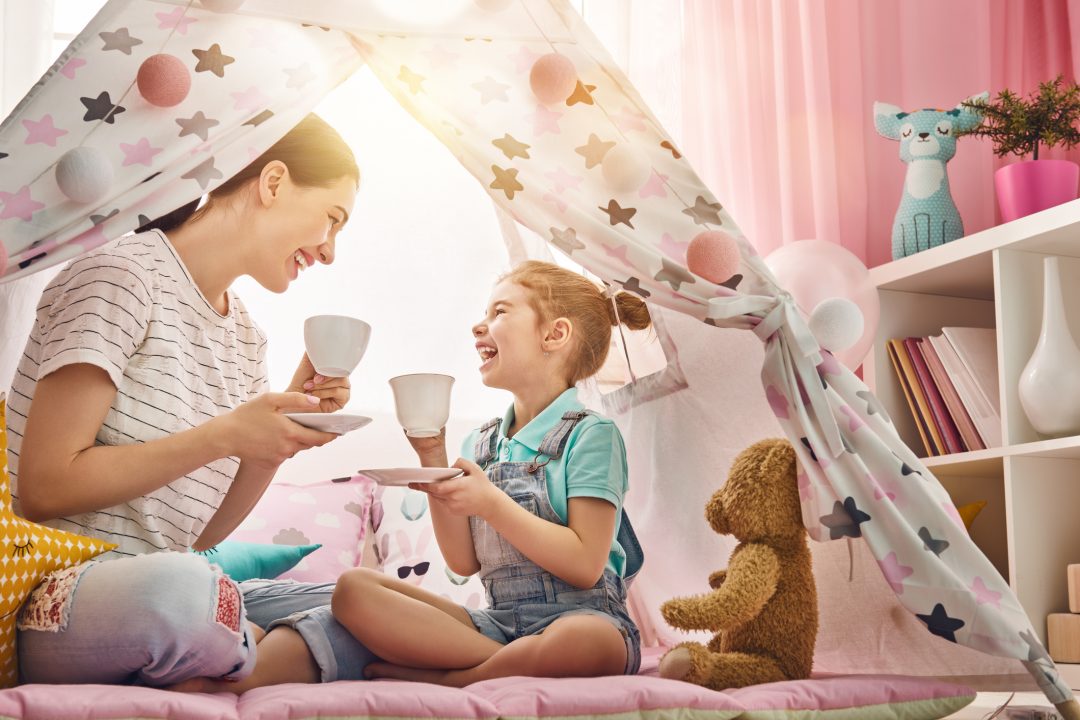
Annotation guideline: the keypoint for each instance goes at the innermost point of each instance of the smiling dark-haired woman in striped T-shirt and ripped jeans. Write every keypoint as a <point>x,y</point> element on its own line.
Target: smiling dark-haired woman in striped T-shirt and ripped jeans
<point>140,415</point>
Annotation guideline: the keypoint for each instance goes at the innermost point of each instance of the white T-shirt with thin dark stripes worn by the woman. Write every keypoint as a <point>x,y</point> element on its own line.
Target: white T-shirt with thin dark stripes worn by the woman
<point>132,309</point>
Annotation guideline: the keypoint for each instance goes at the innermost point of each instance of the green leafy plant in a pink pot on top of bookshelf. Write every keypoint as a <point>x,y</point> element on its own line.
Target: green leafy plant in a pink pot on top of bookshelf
<point>1023,127</point>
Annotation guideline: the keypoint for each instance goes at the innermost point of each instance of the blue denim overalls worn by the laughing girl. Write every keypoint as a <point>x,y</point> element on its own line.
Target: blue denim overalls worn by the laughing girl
<point>523,597</point>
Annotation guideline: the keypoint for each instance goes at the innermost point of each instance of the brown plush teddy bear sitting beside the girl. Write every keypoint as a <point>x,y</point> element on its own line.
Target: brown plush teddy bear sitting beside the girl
<point>764,608</point>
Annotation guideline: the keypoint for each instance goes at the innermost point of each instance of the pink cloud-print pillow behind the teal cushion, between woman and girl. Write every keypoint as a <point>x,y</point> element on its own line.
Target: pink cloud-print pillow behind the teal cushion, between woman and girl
<point>332,514</point>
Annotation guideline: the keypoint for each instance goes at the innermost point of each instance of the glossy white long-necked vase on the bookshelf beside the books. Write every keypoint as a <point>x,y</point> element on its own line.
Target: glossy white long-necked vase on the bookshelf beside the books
<point>1050,385</point>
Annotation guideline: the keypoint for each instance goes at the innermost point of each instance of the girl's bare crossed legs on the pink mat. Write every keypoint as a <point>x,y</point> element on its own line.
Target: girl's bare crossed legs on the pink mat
<point>425,637</point>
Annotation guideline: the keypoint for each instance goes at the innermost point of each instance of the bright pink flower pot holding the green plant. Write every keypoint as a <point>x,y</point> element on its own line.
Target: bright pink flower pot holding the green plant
<point>1035,185</point>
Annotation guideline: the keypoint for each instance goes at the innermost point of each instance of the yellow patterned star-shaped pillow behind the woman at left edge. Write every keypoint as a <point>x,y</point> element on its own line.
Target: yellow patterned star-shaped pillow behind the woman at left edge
<point>29,553</point>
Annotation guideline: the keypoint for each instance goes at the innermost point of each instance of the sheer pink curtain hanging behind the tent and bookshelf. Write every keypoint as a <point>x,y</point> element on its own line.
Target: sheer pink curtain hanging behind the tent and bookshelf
<point>777,102</point>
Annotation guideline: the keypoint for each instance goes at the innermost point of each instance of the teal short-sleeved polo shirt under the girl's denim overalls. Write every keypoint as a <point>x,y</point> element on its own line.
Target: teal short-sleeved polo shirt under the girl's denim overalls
<point>593,464</point>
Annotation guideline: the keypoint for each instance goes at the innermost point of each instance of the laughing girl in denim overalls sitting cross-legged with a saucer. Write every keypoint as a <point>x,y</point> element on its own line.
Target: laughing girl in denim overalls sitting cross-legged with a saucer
<point>538,512</point>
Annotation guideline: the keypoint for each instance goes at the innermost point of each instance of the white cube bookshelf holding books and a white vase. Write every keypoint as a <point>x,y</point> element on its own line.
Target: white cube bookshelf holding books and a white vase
<point>1031,527</point>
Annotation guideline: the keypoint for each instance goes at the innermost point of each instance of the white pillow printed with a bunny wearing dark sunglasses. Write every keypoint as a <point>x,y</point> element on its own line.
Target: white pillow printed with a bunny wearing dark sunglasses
<point>406,547</point>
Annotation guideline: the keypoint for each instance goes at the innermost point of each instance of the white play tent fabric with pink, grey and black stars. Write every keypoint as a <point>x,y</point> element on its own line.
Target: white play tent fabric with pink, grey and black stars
<point>463,71</point>
